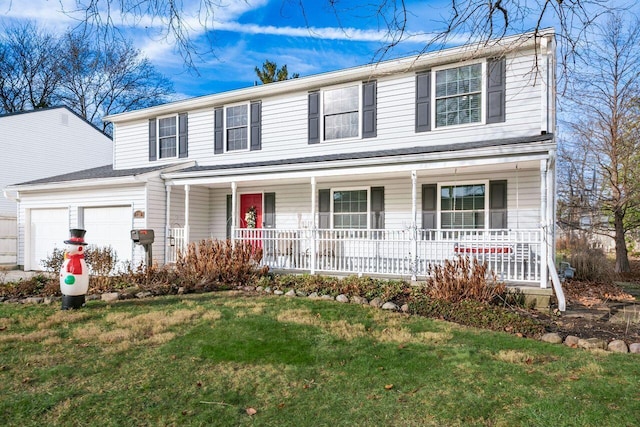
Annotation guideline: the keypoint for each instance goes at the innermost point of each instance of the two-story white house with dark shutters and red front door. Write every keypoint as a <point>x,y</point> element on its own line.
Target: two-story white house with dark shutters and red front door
<point>379,169</point>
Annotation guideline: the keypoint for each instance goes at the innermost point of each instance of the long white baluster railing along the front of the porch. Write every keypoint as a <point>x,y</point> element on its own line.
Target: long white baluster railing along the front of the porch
<point>513,255</point>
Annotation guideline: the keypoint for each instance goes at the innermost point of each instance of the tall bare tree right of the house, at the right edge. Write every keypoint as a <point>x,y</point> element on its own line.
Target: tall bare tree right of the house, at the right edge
<point>602,157</point>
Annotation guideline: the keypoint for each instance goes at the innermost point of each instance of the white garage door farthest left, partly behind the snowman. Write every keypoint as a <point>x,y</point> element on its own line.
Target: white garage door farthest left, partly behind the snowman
<point>49,229</point>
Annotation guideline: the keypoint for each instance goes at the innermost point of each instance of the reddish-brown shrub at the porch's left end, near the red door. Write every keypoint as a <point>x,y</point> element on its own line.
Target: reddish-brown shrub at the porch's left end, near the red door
<point>214,264</point>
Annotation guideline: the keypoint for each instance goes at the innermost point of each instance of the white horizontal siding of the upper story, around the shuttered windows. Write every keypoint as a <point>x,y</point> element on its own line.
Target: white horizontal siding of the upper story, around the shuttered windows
<point>284,123</point>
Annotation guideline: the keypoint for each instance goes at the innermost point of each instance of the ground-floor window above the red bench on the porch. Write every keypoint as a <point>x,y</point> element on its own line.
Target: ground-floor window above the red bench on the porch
<point>462,206</point>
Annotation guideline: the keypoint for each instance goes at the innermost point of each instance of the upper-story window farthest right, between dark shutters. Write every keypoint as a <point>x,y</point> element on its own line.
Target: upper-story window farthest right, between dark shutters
<point>458,95</point>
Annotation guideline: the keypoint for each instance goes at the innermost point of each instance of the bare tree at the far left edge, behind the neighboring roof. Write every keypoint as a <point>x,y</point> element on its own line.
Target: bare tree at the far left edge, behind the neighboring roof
<point>29,68</point>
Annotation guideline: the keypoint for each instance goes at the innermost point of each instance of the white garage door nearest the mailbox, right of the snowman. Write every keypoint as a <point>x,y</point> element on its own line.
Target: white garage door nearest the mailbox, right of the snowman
<point>110,226</point>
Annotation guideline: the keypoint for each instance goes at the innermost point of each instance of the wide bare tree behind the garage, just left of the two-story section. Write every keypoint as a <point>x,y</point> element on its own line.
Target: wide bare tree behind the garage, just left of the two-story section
<point>104,79</point>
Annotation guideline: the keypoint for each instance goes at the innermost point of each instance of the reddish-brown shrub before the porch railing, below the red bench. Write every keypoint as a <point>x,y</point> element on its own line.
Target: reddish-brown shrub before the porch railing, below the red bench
<point>461,280</point>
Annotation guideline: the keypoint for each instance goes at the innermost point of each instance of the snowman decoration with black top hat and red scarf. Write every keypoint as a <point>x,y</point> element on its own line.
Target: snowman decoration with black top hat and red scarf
<point>74,275</point>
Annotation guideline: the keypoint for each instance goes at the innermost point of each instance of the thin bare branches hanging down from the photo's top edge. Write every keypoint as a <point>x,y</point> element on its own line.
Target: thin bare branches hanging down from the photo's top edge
<point>477,20</point>
